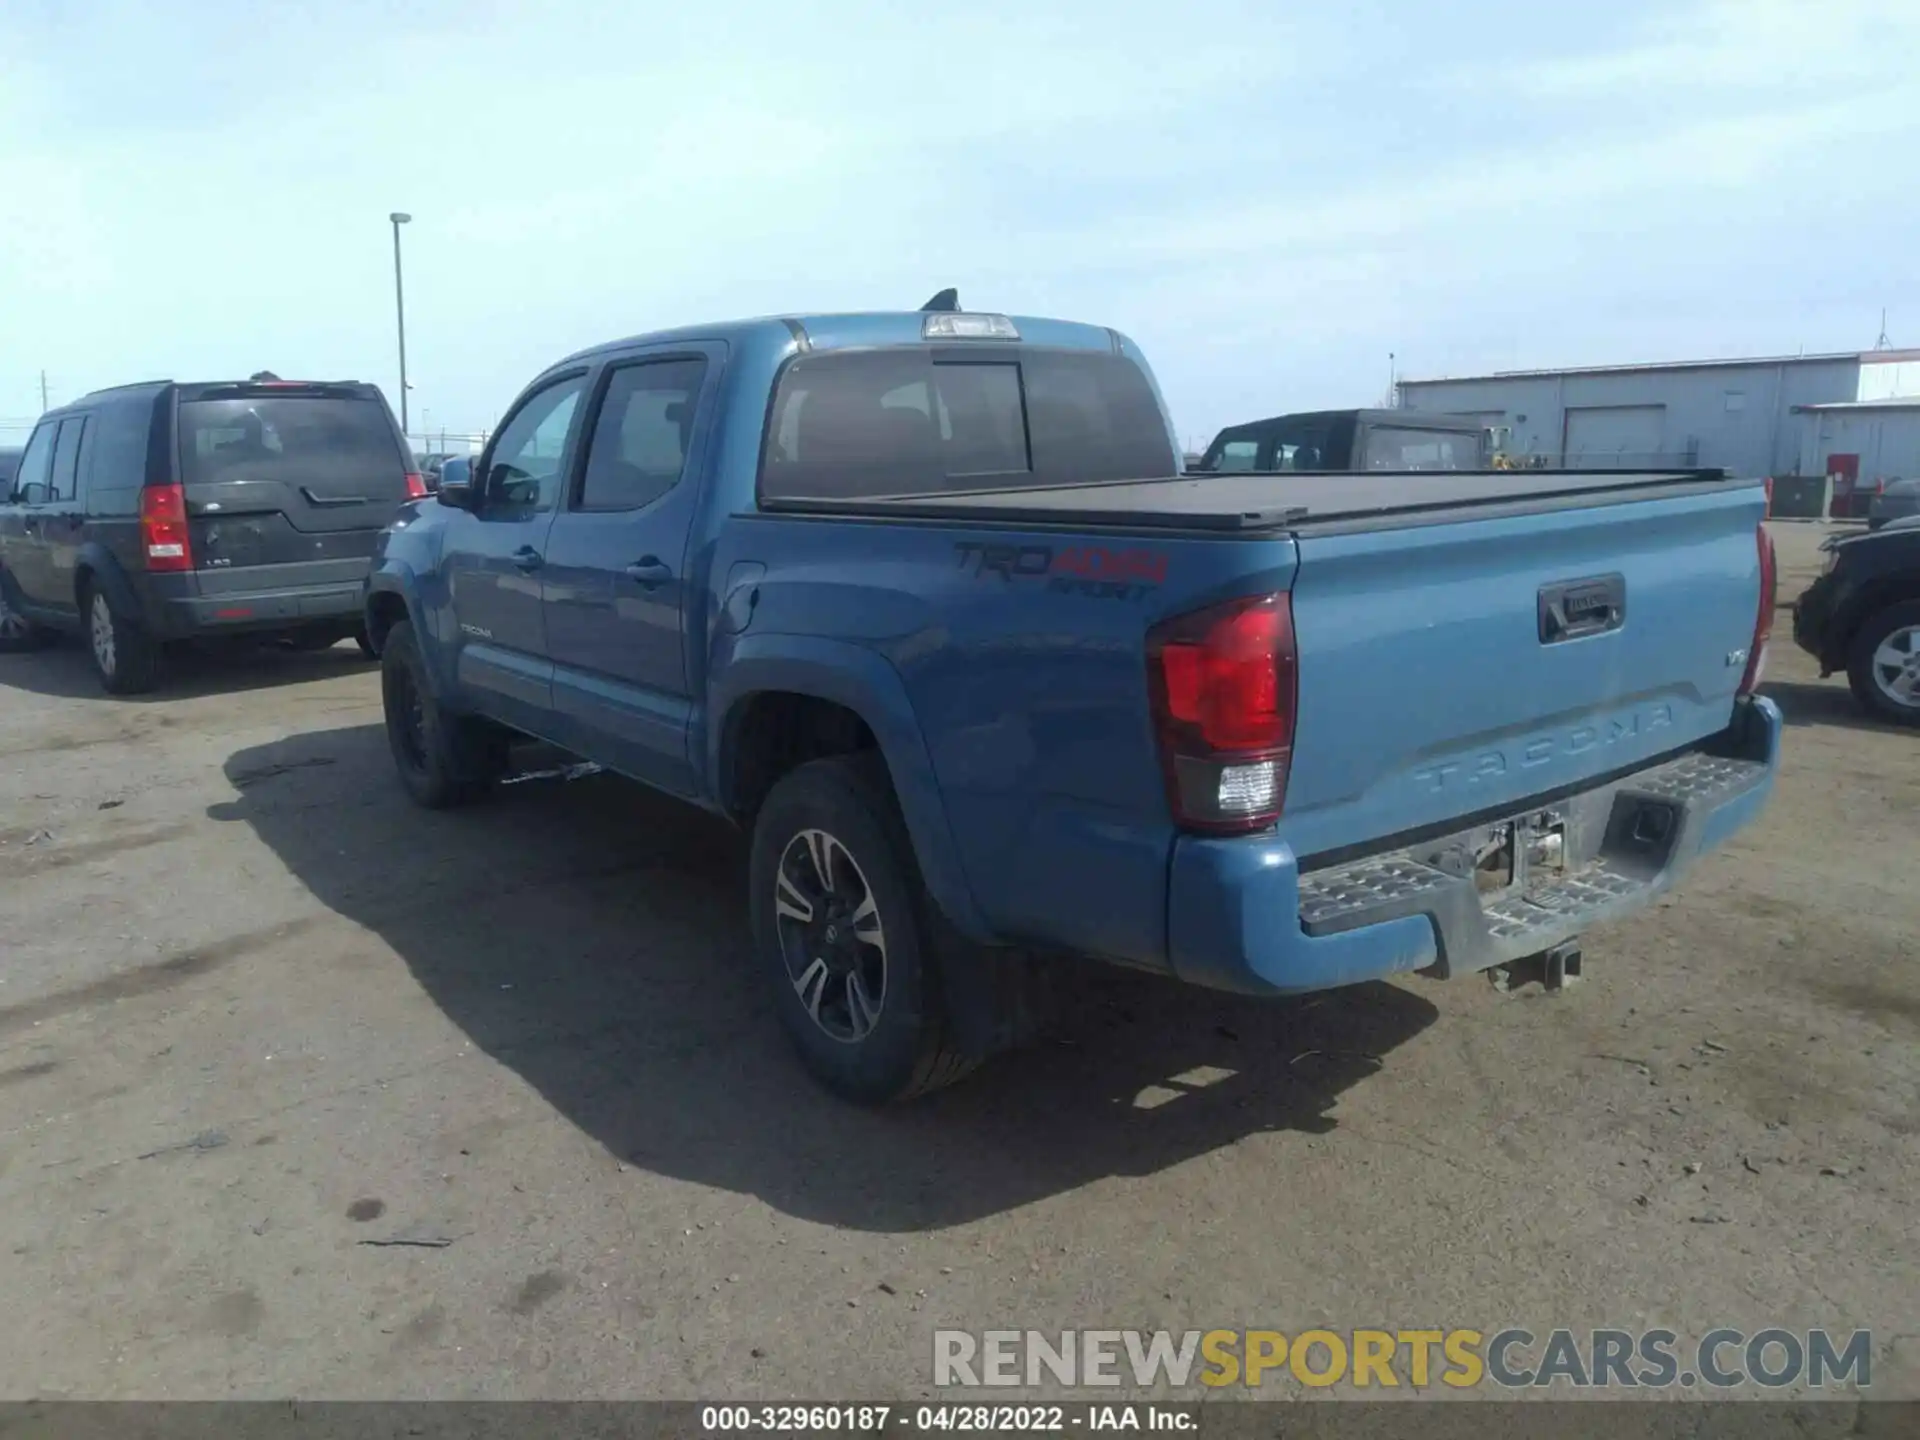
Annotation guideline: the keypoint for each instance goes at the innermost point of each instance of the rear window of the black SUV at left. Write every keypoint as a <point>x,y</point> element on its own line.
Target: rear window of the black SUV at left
<point>331,446</point>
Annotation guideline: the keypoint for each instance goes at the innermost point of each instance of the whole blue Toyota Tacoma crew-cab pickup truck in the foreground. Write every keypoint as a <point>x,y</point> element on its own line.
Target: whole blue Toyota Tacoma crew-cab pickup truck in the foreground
<point>923,602</point>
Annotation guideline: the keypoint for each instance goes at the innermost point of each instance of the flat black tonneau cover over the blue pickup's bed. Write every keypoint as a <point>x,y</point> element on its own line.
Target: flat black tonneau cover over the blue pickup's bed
<point>1253,504</point>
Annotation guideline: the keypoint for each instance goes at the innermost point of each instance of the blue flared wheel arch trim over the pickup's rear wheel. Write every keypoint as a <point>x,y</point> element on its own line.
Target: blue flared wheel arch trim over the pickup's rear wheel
<point>869,686</point>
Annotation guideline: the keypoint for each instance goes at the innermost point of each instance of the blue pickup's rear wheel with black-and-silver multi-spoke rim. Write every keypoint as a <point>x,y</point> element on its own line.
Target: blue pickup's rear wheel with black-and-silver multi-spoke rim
<point>842,932</point>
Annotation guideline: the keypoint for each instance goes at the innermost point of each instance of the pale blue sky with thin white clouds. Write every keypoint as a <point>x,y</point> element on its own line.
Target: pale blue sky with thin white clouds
<point>1268,197</point>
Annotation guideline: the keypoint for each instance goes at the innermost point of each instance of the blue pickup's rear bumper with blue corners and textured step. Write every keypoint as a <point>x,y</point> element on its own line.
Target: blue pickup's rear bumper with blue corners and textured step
<point>1245,919</point>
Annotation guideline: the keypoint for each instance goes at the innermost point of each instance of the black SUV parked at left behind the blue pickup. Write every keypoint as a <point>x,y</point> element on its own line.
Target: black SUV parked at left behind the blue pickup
<point>172,512</point>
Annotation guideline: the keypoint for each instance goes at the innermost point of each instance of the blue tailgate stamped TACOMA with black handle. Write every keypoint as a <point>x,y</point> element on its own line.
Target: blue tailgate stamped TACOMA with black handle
<point>1472,665</point>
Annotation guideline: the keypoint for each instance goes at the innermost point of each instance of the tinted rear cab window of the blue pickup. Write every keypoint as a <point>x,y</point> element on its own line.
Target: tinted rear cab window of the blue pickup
<point>915,421</point>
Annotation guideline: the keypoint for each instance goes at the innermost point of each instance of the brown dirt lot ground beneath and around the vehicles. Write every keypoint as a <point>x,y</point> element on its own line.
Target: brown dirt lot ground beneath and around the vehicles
<point>260,1017</point>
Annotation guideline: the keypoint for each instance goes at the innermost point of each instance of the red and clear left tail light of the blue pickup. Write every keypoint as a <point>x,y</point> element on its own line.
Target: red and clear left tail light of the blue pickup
<point>1224,694</point>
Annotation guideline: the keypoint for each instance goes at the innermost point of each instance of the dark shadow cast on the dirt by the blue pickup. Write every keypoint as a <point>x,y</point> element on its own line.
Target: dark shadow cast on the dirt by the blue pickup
<point>592,938</point>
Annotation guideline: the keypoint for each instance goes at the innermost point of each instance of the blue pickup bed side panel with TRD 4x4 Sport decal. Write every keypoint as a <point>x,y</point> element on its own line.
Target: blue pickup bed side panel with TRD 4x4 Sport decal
<point>1024,661</point>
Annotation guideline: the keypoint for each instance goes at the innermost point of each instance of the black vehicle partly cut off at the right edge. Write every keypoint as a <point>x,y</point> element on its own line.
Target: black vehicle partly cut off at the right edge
<point>1863,617</point>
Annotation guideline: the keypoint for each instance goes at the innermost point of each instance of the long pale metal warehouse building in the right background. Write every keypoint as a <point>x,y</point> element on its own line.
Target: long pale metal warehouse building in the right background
<point>1852,416</point>
